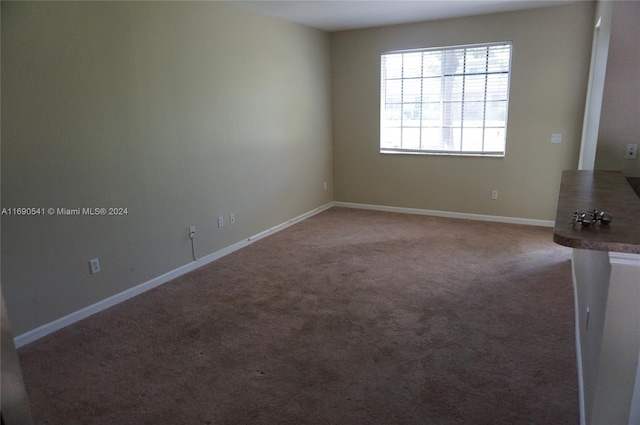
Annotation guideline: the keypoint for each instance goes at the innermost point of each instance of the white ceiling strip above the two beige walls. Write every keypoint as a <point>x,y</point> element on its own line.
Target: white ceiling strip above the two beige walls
<point>334,15</point>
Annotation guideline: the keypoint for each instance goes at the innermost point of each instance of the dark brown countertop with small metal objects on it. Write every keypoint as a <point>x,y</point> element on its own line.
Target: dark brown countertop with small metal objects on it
<point>607,191</point>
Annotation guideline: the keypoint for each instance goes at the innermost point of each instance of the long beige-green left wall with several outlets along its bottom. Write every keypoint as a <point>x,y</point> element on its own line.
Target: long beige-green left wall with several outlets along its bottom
<point>178,111</point>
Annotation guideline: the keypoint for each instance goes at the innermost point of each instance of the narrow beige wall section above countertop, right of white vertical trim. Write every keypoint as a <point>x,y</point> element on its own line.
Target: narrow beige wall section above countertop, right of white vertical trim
<point>619,123</point>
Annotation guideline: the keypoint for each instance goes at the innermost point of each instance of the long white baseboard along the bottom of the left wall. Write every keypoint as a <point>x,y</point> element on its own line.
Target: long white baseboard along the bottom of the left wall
<point>83,313</point>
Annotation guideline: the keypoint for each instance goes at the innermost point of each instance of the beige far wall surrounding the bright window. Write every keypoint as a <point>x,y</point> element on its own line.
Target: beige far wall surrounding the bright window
<point>551,54</point>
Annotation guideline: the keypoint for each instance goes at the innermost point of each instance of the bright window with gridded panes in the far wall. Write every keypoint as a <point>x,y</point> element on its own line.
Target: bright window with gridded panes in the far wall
<point>451,100</point>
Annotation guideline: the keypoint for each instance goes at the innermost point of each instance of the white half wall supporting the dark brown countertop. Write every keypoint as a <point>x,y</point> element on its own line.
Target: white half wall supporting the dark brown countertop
<point>607,293</point>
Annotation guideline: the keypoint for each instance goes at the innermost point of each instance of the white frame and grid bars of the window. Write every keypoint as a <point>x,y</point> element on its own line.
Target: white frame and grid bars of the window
<point>483,152</point>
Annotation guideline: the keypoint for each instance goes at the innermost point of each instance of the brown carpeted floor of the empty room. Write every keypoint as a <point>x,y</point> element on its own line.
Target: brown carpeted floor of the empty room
<point>350,317</point>
